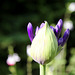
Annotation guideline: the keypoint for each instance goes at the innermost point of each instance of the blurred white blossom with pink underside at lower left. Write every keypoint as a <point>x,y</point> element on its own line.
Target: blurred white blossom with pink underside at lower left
<point>12,59</point>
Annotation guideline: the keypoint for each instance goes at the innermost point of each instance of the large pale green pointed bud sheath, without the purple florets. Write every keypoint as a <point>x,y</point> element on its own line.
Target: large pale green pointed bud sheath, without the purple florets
<point>44,46</point>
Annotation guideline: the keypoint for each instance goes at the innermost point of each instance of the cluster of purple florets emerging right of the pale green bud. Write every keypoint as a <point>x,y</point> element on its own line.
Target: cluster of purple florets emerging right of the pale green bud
<point>57,31</point>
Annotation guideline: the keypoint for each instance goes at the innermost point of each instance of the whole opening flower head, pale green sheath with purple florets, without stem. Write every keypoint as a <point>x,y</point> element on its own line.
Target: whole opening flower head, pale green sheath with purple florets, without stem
<point>46,43</point>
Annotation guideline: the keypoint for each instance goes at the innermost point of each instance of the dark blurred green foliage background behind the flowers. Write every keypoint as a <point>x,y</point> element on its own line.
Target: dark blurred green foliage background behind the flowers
<point>14,17</point>
